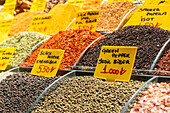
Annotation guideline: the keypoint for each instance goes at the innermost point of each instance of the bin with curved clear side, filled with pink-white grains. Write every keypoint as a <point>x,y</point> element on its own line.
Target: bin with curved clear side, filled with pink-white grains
<point>153,96</point>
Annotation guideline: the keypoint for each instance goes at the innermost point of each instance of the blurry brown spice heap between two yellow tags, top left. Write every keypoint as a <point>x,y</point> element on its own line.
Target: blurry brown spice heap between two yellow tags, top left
<point>23,6</point>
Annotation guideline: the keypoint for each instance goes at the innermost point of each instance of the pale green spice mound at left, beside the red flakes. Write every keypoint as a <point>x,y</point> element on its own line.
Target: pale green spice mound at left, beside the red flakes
<point>23,42</point>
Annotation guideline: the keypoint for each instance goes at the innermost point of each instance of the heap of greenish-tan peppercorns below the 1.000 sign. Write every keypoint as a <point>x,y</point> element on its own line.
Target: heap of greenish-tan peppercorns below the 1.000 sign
<point>88,94</point>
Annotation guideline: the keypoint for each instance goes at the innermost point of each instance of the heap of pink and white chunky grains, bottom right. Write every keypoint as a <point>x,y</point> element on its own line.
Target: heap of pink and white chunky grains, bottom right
<point>155,100</point>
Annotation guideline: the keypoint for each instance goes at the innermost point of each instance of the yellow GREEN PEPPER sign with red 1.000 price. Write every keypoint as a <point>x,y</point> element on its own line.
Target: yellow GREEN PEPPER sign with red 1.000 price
<point>115,63</point>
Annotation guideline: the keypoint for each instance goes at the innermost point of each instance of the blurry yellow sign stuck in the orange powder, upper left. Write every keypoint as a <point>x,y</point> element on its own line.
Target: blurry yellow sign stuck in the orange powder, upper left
<point>40,24</point>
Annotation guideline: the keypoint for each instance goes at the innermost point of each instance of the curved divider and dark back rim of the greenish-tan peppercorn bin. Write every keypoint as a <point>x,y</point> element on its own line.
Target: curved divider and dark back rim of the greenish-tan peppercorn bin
<point>74,73</point>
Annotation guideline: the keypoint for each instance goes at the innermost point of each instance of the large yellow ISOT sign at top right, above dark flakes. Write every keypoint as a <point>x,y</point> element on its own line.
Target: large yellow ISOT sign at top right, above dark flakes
<point>157,16</point>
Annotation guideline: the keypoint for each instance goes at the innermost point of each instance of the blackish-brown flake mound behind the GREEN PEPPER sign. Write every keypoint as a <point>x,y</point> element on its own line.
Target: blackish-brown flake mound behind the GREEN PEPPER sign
<point>149,41</point>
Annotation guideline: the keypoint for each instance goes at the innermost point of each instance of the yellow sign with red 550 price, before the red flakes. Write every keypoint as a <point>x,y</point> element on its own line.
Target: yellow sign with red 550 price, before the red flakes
<point>48,62</point>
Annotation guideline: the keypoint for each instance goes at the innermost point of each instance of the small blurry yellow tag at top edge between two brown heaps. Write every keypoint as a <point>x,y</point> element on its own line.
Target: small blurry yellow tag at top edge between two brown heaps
<point>38,5</point>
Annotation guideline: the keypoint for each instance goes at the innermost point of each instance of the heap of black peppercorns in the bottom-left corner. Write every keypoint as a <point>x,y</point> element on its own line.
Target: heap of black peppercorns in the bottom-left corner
<point>19,90</point>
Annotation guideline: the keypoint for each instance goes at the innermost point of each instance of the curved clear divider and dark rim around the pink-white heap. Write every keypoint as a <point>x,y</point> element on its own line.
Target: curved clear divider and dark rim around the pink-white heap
<point>134,99</point>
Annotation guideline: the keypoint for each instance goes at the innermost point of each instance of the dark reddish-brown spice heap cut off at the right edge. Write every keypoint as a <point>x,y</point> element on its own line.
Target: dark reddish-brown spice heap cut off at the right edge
<point>164,64</point>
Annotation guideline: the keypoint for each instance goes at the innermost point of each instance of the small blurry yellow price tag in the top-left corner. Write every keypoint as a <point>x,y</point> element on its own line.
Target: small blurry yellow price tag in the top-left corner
<point>9,7</point>
